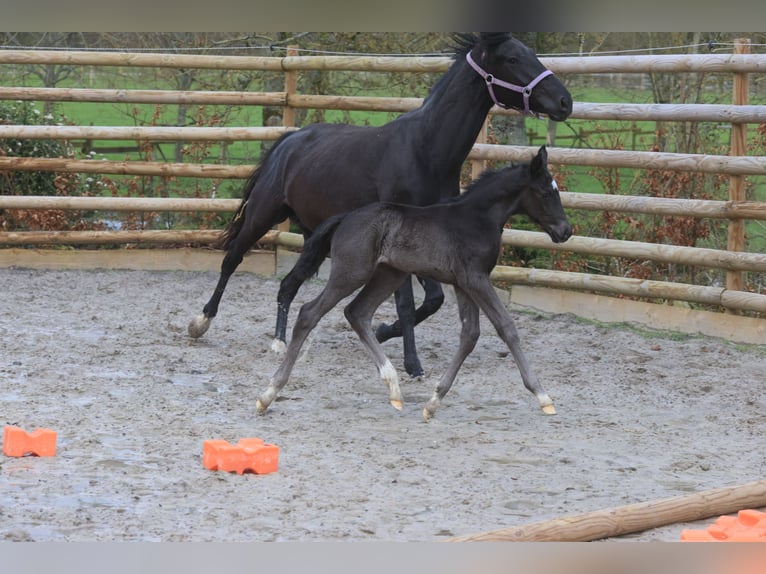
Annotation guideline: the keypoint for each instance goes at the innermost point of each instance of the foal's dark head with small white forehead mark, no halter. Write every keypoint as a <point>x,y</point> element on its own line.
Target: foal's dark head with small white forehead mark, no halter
<point>541,201</point>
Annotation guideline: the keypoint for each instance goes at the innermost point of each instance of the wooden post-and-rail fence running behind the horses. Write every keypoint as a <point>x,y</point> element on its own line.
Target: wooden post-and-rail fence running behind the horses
<point>736,295</point>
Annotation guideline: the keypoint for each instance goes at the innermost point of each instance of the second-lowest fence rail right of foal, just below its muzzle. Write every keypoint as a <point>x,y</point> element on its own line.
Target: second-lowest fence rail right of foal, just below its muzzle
<point>696,256</point>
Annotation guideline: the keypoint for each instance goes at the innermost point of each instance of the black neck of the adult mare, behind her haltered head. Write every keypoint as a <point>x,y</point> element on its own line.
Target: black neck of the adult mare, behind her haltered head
<point>452,117</point>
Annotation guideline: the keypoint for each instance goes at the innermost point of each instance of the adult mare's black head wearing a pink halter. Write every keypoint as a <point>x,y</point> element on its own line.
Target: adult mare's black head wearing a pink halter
<point>515,78</point>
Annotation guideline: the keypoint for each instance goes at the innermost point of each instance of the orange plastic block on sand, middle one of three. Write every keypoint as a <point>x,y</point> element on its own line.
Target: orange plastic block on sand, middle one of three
<point>248,454</point>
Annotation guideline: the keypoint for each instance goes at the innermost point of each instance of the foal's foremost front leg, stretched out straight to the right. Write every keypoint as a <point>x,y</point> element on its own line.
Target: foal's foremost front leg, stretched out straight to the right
<point>484,294</point>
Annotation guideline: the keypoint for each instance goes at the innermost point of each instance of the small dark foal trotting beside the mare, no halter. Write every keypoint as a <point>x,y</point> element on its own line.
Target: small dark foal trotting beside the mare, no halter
<point>456,242</point>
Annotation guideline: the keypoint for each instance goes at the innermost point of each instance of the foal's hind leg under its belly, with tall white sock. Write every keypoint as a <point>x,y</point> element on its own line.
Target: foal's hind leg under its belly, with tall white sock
<point>359,315</point>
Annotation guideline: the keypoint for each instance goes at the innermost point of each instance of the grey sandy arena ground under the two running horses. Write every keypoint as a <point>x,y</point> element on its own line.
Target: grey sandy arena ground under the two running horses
<point>103,357</point>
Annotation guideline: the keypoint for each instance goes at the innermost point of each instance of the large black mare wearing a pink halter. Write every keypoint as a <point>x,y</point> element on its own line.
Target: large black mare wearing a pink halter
<point>325,169</point>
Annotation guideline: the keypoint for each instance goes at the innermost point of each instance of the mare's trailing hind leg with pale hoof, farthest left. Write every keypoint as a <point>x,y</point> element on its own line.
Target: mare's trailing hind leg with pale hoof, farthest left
<point>259,219</point>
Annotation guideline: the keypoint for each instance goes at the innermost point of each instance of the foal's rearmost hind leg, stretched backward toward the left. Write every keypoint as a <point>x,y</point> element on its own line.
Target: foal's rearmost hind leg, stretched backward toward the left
<point>308,317</point>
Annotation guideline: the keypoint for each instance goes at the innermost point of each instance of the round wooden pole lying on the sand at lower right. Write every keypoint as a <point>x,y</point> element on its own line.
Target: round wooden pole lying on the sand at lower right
<point>632,518</point>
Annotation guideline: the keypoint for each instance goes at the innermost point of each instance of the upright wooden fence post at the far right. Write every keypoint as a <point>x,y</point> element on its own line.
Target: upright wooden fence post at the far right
<point>736,236</point>
